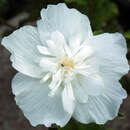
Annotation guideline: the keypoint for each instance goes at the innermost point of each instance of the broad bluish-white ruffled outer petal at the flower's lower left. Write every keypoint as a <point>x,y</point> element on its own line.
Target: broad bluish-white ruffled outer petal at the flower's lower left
<point>32,97</point>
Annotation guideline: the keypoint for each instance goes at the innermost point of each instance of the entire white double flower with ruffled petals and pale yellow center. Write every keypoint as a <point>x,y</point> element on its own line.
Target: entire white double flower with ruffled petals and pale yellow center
<point>65,71</point>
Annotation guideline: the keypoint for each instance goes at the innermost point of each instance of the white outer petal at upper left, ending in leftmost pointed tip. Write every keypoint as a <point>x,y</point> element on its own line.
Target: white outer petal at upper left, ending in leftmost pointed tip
<point>22,44</point>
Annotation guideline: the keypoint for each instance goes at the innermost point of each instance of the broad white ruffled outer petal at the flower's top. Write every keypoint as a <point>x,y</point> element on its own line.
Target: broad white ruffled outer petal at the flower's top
<point>70,22</point>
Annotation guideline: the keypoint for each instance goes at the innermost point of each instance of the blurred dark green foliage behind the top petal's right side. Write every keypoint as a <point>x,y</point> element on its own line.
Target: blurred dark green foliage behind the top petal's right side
<point>100,12</point>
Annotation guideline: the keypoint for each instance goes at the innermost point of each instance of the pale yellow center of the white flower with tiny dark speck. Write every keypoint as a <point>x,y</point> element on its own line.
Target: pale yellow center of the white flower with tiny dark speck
<point>67,63</point>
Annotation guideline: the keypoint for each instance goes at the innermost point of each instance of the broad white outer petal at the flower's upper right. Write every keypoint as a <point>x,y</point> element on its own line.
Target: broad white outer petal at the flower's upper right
<point>110,53</point>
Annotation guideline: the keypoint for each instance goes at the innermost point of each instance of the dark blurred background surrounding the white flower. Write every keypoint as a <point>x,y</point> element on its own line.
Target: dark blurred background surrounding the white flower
<point>105,16</point>
